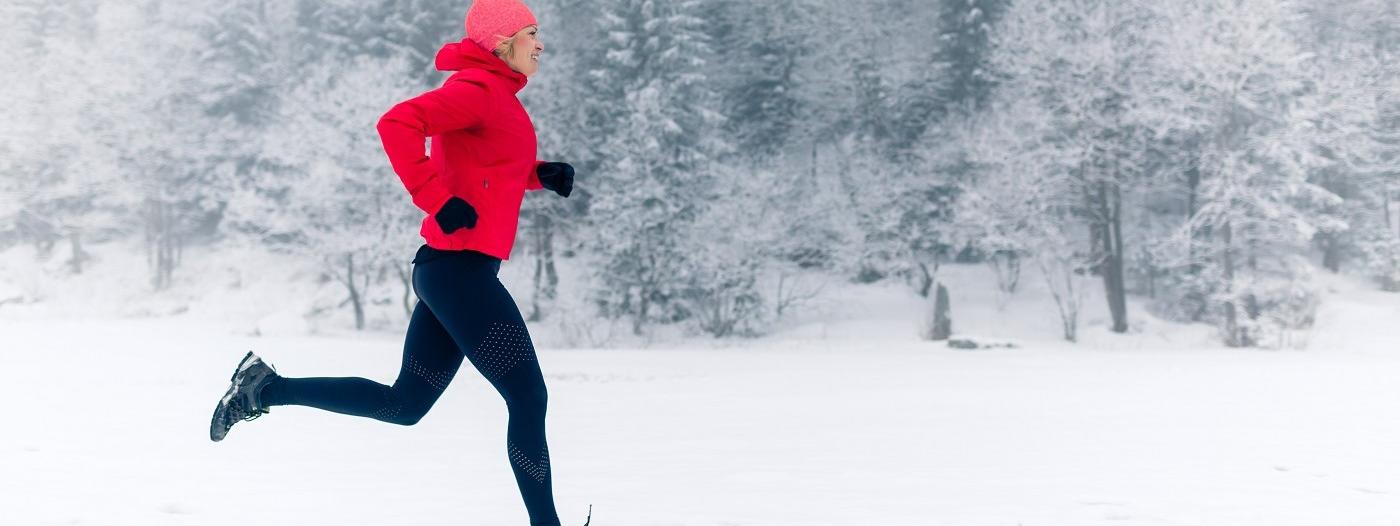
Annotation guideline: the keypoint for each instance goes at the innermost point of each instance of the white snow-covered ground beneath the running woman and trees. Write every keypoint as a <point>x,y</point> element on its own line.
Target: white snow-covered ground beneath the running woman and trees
<point>841,419</point>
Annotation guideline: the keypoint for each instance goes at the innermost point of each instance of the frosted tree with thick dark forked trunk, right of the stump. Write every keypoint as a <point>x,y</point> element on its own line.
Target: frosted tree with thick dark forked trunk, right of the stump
<point>1090,64</point>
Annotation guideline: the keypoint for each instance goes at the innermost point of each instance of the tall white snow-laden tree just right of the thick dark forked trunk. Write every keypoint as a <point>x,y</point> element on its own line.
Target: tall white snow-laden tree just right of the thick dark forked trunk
<point>1241,72</point>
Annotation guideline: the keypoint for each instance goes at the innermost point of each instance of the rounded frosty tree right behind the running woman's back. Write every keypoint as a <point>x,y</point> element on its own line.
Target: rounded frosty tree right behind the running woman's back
<point>328,192</point>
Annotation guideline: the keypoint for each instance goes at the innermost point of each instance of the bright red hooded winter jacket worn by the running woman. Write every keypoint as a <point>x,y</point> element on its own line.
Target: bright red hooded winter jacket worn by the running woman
<point>484,149</point>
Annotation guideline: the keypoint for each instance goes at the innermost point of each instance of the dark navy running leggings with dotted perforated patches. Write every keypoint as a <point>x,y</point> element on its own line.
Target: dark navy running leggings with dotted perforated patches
<point>463,311</point>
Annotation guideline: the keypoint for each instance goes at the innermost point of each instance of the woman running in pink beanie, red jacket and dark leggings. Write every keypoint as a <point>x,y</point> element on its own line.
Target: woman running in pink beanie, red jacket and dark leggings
<point>482,162</point>
